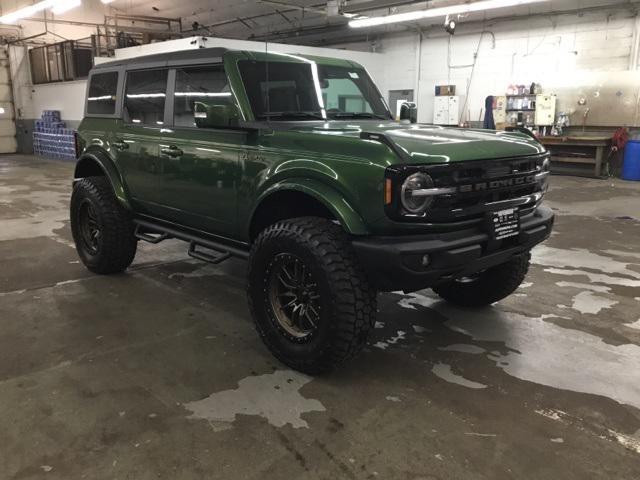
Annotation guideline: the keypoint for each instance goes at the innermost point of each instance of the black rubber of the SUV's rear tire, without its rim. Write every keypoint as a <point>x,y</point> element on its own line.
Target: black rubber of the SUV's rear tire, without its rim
<point>116,244</point>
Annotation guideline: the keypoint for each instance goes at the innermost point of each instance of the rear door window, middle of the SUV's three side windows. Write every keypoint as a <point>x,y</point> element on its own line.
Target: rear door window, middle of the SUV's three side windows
<point>145,95</point>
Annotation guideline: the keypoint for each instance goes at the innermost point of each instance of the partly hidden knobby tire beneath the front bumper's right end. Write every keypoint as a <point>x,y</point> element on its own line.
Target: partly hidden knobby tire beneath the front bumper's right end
<point>489,286</point>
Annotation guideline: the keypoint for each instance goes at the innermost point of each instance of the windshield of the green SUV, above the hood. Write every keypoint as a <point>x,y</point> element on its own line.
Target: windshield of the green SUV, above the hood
<point>308,91</point>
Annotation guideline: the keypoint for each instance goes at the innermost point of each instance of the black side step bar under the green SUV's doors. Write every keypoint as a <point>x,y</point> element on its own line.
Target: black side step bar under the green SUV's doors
<point>221,251</point>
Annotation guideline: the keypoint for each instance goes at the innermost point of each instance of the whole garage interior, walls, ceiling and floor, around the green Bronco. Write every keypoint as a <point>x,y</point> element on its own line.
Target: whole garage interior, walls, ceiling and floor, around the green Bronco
<point>158,372</point>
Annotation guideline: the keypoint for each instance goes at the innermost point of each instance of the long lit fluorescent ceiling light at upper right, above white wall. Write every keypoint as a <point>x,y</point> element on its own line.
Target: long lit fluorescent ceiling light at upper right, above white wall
<point>439,12</point>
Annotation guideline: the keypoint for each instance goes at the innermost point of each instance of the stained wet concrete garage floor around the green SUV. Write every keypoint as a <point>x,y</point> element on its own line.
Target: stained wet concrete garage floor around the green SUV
<point>158,373</point>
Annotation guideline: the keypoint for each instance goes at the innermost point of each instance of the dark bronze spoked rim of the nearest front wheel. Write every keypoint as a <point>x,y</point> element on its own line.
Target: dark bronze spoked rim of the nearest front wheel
<point>293,297</point>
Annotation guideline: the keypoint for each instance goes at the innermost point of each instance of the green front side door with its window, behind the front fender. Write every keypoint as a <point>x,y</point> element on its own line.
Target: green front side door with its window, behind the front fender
<point>200,165</point>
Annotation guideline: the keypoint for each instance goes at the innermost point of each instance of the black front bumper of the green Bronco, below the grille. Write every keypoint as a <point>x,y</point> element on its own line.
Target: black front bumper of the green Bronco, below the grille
<point>395,263</point>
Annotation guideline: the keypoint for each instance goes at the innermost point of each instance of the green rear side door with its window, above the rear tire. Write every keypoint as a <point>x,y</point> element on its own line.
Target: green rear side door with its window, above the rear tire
<point>136,142</point>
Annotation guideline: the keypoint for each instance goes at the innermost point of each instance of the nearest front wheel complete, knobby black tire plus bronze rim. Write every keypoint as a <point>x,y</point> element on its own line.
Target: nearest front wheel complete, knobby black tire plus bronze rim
<point>308,295</point>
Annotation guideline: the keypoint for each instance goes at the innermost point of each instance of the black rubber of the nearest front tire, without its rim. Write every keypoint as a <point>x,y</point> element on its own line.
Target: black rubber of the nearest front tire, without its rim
<point>348,303</point>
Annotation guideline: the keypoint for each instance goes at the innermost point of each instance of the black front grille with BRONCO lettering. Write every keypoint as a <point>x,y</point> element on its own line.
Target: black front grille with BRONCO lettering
<point>506,180</point>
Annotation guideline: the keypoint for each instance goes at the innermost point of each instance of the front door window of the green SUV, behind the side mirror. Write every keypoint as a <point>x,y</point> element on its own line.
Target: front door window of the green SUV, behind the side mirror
<point>198,87</point>
